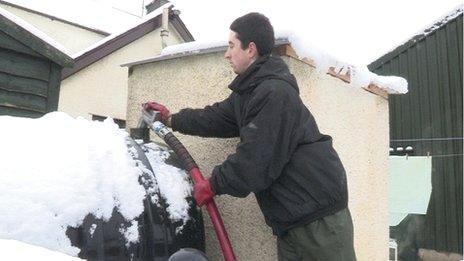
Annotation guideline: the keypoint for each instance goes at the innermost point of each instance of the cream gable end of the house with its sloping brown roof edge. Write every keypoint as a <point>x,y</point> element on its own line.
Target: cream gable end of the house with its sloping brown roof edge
<point>96,87</point>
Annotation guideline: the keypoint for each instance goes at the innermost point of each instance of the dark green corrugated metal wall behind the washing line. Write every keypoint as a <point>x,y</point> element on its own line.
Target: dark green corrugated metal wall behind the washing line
<point>429,119</point>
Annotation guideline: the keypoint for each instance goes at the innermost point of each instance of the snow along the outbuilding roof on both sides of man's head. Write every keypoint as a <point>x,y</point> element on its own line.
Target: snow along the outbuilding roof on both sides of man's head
<point>360,75</point>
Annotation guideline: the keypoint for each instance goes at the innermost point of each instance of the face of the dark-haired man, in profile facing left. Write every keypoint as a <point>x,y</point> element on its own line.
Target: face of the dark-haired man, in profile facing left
<point>238,58</point>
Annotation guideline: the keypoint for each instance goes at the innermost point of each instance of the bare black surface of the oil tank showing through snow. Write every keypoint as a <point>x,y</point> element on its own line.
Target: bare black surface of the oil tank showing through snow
<point>158,239</point>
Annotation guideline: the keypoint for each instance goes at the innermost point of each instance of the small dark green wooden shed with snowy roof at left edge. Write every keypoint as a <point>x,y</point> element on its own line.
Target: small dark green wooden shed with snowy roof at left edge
<point>30,68</point>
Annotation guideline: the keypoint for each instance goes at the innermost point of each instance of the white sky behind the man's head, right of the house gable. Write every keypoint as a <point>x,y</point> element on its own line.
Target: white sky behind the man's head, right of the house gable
<point>356,32</point>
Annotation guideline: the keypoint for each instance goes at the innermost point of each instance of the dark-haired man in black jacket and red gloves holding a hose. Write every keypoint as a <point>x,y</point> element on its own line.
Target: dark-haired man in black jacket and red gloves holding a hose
<point>295,173</point>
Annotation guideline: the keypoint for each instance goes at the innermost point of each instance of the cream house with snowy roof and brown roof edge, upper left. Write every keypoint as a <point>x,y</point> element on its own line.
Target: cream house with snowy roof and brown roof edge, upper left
<point>96,87</point>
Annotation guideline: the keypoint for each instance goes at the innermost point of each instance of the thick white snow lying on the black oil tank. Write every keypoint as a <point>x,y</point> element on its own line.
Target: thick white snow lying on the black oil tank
<point>55,170</point>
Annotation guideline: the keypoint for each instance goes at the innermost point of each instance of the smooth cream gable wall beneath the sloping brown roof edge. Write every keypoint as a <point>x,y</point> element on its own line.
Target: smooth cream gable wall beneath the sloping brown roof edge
<point>101,88</point>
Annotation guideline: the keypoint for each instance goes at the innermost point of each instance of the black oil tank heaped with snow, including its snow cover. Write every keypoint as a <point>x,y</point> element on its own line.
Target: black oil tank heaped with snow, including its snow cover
<point>87,189</point>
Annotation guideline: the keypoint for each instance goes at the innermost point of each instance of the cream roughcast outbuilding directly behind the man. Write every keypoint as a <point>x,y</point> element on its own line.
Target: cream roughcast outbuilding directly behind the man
<point>355,115</point>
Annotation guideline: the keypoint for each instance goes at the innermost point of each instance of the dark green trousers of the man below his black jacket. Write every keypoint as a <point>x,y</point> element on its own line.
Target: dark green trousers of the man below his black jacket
<point>326,239</point>
